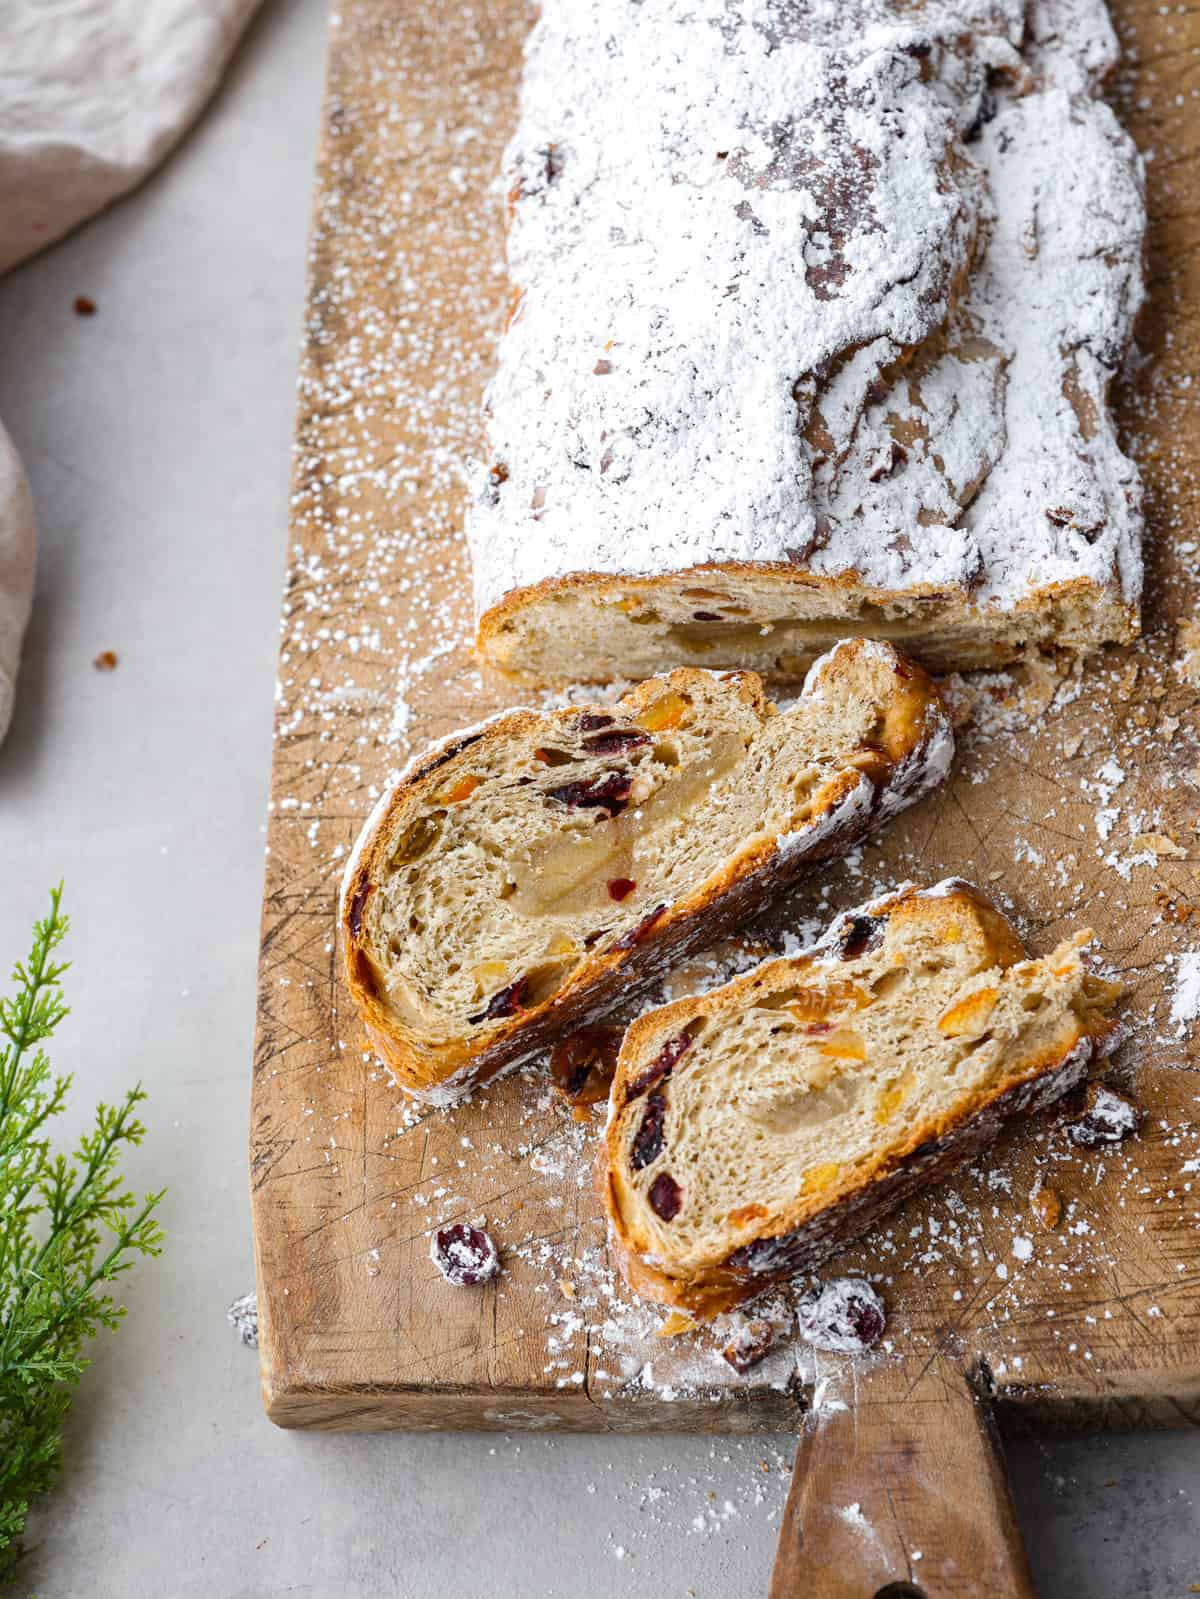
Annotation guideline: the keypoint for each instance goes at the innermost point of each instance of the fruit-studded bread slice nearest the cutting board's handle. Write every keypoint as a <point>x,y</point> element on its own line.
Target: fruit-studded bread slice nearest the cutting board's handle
<point>764,1126</point>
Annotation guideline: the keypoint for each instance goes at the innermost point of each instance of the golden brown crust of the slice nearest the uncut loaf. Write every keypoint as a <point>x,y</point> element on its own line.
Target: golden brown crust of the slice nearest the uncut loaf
<point>911,722</point>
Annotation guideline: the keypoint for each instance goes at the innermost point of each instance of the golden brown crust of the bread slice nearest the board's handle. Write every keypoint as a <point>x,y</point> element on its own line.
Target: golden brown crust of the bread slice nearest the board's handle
<point>818,1226</point>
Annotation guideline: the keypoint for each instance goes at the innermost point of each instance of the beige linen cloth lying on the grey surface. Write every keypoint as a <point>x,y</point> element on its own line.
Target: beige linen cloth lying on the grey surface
<point>94,95</point>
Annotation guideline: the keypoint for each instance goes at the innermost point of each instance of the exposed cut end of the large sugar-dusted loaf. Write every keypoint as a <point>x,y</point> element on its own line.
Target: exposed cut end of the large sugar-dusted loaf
<point>777,623</point>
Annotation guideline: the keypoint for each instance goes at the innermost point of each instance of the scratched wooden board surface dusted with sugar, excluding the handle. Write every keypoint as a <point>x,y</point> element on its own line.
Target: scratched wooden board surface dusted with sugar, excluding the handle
<point>1076,802</point>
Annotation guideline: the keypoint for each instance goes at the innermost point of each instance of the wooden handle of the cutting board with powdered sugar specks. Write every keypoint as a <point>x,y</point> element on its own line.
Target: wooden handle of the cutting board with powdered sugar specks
<point>900,1493</point>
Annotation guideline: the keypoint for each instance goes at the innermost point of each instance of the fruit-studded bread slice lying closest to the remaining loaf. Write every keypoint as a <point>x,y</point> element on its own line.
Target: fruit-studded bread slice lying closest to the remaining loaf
<point>527,874</point>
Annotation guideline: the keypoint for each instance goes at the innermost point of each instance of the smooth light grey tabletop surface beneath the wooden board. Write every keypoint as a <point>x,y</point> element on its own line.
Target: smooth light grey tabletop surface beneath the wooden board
<point>158,441</point>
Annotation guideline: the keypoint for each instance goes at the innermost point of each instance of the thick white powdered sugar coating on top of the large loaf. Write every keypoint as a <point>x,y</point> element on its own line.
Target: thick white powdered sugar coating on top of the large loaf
<point>734,225</point>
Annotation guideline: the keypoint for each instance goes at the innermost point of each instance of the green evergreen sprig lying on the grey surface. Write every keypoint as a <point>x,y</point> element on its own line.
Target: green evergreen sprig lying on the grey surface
<point>70,1227</point>
